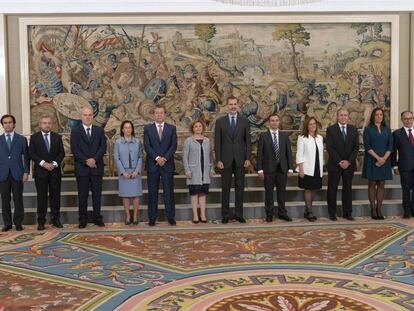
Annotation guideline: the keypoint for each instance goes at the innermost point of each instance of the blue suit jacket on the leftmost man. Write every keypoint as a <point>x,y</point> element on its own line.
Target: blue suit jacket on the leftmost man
<point>16,161</point>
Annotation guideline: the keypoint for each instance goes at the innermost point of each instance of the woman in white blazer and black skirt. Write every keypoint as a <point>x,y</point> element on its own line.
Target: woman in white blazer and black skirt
<point>309,158</point>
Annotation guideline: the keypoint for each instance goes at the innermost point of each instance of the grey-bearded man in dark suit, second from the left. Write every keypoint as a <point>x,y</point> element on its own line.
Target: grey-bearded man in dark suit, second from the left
<point>47,152</point>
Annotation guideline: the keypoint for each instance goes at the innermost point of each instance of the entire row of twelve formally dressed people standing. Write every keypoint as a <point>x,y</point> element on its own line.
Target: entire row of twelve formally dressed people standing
<point>232,145</point>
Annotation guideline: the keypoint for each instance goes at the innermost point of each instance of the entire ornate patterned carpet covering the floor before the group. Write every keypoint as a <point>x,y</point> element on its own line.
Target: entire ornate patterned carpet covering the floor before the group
<point>363,265</point>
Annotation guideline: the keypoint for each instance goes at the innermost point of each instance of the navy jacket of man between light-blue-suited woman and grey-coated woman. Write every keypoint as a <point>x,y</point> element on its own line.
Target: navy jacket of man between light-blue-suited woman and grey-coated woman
<point>155,147</point>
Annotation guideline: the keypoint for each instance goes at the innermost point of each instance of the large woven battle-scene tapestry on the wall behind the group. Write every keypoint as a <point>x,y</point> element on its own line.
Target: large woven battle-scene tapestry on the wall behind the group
<point>123,71</point>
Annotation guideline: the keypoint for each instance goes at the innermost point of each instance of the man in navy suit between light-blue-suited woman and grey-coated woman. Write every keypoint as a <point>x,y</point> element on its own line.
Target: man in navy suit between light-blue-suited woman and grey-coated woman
<point>160,143</point>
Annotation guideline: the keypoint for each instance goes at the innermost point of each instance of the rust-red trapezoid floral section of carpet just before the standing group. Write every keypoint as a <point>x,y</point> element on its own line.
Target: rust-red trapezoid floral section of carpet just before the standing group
<point>187,251</point>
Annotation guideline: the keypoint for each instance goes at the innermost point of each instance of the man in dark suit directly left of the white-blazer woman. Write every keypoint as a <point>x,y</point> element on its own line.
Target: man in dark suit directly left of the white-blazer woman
<point>274,165</point>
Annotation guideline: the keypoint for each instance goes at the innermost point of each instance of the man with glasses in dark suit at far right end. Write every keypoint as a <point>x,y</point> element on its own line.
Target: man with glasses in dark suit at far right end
<point>403,161</point>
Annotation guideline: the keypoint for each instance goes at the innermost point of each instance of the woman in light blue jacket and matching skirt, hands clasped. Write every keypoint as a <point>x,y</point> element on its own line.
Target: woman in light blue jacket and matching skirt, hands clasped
<point>128,159</point>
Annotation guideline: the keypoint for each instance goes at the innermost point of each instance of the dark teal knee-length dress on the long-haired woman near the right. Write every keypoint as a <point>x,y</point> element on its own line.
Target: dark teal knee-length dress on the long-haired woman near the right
<point>380,143</point>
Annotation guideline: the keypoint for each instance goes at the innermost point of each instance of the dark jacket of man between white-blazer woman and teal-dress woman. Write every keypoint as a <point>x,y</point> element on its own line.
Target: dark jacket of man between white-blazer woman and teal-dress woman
<point>338,149</point>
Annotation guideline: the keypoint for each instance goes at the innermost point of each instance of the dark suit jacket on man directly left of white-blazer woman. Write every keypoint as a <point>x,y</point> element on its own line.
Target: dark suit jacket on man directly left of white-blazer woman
<point>266,156</point>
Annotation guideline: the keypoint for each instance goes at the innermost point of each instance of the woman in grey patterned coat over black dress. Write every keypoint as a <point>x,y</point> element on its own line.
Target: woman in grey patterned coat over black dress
<point>198,165</point>
